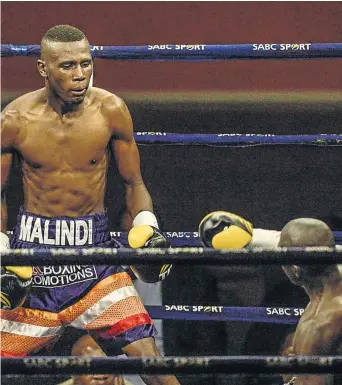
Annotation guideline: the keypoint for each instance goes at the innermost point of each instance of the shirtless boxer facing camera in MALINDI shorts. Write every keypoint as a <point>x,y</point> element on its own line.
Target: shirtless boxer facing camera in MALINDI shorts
<point>63,134</point>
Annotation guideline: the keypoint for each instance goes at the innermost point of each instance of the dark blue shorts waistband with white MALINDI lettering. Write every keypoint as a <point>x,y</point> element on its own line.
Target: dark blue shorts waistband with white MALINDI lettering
<point>61,231</point>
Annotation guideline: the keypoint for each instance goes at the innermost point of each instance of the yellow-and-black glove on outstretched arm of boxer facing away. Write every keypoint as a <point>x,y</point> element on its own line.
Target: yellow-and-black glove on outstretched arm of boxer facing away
<point>224,230</point>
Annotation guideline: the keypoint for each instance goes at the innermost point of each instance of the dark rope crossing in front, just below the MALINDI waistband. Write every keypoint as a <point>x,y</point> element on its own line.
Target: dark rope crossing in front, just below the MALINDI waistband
<point>183,256</point>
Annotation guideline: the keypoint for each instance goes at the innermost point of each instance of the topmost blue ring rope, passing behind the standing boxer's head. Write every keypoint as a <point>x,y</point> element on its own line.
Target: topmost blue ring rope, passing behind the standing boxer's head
<point>197,52</point>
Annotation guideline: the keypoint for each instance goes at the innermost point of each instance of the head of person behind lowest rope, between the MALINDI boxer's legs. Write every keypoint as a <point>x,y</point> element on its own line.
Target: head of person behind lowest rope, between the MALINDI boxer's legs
<point>87,347</point>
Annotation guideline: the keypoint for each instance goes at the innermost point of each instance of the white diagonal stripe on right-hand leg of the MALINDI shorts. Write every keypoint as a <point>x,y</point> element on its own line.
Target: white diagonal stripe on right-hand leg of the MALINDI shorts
<point>103,304</point>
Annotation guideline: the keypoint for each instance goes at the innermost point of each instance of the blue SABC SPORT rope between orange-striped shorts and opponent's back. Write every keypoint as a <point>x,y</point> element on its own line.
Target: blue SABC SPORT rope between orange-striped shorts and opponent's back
<point>275,315</point>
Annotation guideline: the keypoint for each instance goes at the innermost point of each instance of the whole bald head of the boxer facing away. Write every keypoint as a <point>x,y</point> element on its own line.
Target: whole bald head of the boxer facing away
<point>306,232</point>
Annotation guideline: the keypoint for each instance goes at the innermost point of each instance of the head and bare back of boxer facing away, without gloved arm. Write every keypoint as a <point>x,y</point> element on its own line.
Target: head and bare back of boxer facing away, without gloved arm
<point>319,330</point>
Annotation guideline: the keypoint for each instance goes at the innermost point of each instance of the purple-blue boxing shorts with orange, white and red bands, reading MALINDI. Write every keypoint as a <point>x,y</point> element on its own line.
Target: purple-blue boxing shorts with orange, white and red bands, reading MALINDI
<point>99,299</point>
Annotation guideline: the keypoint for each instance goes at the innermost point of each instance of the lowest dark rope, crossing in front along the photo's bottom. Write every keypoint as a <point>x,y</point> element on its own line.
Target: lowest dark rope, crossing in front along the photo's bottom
<point>171,365</point>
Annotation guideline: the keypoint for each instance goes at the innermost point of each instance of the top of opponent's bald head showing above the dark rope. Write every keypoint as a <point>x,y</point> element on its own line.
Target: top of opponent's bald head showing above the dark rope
<point>303,232</point>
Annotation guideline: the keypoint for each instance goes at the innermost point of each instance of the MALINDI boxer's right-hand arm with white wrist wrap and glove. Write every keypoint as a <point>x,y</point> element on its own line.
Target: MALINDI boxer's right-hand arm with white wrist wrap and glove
<point>145,231</point>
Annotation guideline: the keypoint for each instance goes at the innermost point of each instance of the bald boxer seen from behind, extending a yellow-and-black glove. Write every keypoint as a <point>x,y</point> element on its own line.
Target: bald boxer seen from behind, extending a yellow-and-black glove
<point>319,331</point>
